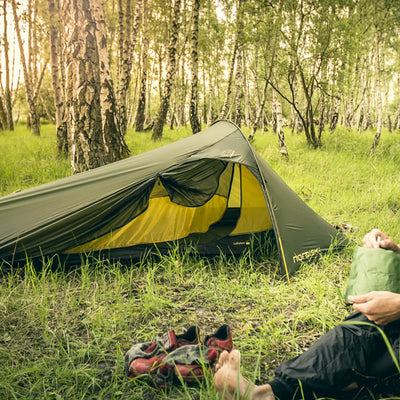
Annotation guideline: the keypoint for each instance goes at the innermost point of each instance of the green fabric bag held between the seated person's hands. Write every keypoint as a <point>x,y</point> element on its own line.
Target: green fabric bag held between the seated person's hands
<point>373,270</point>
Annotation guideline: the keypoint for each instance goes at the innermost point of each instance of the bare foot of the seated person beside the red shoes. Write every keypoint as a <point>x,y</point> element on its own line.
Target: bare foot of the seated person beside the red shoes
<point>230,384</point>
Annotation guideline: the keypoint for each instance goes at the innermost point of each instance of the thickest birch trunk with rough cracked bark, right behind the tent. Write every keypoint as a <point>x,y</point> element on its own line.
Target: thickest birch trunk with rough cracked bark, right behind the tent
<point>86,144</point>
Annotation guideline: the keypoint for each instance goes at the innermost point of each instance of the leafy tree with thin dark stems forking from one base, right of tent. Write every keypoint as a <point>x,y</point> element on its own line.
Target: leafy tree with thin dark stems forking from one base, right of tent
<point>309,44</point>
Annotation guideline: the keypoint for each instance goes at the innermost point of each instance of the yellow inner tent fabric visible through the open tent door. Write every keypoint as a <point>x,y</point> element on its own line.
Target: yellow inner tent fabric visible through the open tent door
<point>164,221</point>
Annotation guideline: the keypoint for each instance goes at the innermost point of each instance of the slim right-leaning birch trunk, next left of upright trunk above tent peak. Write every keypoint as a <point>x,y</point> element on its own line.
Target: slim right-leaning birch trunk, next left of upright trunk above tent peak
<point>165,101</point>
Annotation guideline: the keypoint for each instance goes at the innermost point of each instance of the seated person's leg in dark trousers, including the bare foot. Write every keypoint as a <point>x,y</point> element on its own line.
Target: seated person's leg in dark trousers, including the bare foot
<point>328,367</point>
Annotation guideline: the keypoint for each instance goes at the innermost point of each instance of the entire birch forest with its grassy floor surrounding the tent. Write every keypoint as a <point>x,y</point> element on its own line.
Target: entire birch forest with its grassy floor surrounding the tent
<point>313,84</point>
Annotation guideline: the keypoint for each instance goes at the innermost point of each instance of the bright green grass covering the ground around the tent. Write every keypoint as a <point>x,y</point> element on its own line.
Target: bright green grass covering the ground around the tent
<point>64,332</point>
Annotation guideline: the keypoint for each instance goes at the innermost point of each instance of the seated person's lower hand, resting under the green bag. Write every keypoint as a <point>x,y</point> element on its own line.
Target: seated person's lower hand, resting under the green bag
<point>379,307</point>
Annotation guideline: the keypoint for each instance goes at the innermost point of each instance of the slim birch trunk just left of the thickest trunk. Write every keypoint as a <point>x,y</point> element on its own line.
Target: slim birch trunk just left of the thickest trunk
<point>59,101</point>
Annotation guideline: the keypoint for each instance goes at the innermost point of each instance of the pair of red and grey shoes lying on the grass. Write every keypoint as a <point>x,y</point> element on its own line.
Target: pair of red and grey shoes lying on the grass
<point>175,358</point>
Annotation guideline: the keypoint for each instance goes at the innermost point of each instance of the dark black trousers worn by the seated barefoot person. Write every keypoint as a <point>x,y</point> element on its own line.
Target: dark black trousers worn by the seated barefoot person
<point>337,359</point>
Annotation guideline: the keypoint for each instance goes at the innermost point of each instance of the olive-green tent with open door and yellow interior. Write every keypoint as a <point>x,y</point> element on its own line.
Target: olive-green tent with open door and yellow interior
<point>212,190</point>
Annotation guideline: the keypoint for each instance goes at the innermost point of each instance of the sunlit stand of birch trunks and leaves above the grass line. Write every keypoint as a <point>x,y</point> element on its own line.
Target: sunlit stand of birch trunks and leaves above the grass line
<point>95,68</point>
